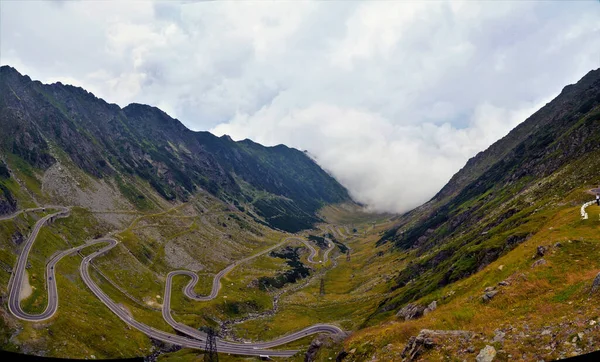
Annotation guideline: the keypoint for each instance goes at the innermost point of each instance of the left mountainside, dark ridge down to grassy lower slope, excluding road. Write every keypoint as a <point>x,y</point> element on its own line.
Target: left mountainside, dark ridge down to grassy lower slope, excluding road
<point>172,198</point>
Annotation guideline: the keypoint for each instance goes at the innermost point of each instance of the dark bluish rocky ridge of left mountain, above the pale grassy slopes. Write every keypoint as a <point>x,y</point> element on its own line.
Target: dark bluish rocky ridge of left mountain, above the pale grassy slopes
<point>38,122</point>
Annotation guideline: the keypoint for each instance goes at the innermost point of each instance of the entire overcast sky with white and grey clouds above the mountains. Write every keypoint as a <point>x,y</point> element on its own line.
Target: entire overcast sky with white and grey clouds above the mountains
<point>390,97</point>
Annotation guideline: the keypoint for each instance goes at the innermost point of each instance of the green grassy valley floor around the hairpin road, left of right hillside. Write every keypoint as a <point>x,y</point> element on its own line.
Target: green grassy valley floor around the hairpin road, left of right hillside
<point>243,311</point>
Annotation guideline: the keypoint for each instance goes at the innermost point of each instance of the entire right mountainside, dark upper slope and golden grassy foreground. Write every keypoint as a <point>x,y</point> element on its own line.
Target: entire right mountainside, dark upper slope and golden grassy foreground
<point>499,264</point>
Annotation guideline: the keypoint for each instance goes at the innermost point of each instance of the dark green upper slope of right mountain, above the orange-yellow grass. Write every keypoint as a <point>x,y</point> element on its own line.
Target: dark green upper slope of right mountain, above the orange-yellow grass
<point>493,203</point>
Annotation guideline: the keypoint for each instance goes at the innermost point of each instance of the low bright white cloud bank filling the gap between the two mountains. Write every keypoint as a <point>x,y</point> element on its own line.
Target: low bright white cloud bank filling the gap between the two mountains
<point>388,166</point>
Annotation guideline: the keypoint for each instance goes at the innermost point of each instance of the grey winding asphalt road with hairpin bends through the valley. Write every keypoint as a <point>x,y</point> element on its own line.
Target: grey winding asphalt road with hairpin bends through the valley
<point>199,338</point>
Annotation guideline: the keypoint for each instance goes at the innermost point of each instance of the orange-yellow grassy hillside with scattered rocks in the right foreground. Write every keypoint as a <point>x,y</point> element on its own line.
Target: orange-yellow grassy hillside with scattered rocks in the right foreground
<point>539,309</point>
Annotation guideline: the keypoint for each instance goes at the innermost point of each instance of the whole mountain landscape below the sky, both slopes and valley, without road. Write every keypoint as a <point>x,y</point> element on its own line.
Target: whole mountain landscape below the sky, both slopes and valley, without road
<point>498,263</point>
